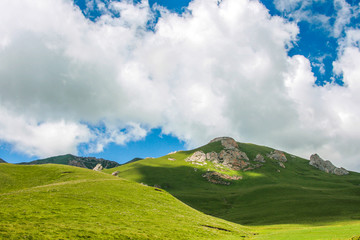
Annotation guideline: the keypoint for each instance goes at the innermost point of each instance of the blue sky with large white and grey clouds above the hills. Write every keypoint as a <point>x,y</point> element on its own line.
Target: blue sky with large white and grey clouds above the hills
<point>125,79</point>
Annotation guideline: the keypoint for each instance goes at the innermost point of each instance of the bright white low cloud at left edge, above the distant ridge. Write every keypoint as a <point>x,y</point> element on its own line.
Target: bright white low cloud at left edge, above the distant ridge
<point>41,139</point>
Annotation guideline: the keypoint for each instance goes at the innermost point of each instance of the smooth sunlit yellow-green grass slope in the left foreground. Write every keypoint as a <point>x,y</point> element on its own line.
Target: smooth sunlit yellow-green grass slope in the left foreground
<point>64,202</point>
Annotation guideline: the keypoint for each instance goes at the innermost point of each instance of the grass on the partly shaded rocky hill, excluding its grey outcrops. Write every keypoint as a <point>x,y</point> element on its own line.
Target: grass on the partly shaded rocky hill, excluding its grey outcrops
<point>299,195</point>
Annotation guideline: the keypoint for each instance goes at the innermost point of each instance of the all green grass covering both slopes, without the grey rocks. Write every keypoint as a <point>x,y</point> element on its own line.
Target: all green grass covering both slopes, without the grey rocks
<point>53,201</point>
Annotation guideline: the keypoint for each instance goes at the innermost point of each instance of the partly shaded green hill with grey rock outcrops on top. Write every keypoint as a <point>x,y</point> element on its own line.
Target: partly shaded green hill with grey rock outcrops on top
<point>255,185</point>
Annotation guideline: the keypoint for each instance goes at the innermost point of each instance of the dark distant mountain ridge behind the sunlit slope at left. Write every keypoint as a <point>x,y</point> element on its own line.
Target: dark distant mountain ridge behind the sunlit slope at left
<point>84,162</point>
